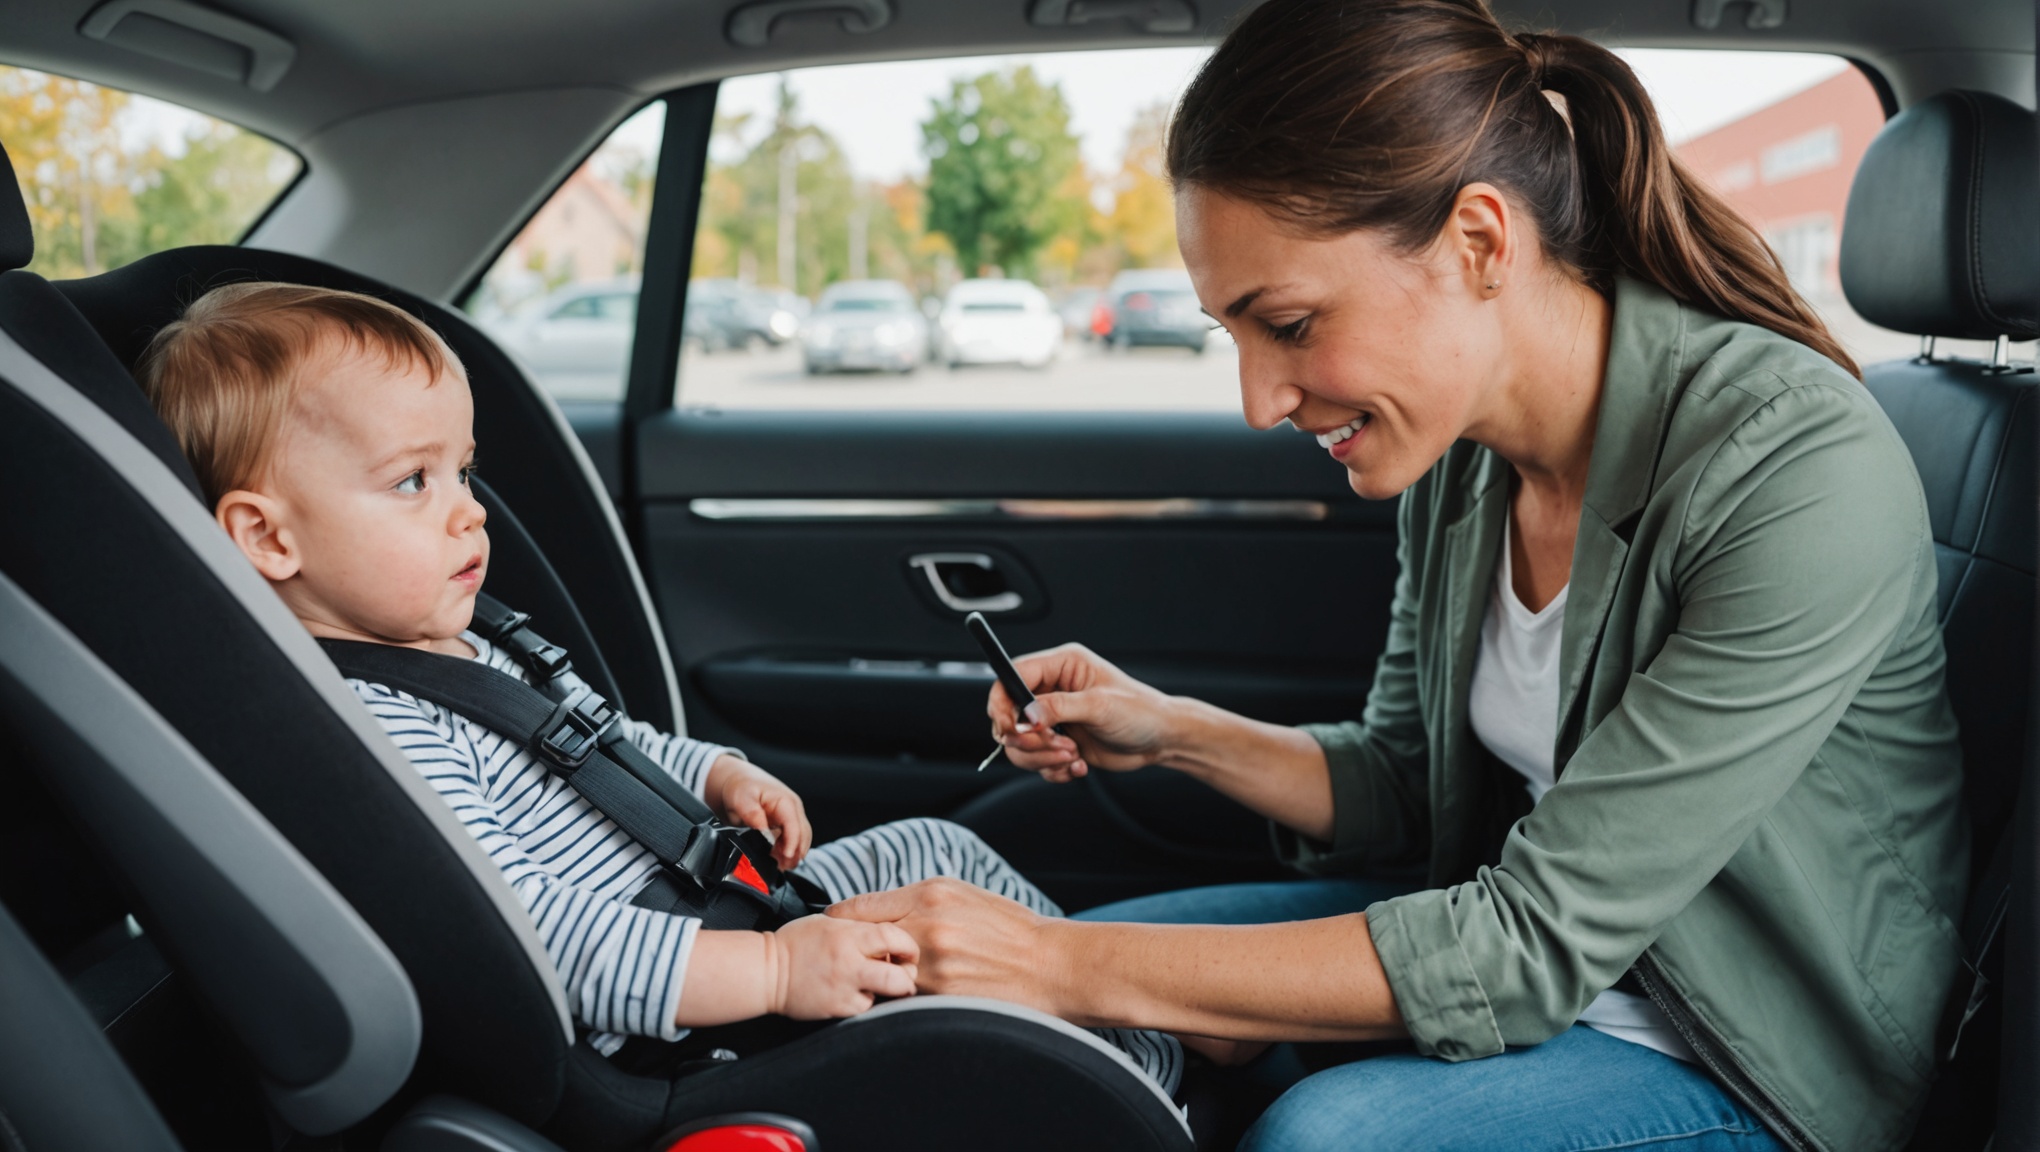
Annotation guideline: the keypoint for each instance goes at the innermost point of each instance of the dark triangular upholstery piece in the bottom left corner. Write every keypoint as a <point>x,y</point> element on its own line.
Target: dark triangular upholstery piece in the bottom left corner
<point>62,1086</point>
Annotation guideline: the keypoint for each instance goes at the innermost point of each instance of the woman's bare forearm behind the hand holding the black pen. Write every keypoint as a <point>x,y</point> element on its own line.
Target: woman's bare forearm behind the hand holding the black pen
<point>1272,770</point>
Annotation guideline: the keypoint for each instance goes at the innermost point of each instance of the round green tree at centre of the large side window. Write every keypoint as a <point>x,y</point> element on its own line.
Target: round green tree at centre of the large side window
<point>1001,164</point>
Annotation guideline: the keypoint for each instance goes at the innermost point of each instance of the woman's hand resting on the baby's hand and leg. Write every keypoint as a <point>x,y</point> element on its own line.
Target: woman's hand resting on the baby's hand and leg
<point>972,943</point>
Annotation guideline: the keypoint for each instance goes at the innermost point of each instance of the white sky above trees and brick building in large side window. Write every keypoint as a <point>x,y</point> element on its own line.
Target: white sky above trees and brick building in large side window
<point>874,109</point>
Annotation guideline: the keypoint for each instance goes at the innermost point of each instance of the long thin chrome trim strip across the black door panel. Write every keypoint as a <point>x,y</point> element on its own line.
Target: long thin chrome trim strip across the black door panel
<point>1168,509</point>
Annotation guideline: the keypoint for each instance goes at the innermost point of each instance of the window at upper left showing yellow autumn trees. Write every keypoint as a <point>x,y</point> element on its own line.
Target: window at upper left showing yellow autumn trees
<point>113,176</point>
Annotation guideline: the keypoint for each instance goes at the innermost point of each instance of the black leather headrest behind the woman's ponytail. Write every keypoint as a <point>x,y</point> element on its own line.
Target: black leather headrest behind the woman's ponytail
<point>1943,235</point>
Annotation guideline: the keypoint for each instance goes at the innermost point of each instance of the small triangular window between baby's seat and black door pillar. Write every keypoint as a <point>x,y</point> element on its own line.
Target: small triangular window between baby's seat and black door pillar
<point>562,297</point>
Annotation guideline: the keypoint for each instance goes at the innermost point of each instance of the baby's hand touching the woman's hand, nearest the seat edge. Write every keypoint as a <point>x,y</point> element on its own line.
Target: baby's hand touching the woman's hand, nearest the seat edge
<point>827,967</point>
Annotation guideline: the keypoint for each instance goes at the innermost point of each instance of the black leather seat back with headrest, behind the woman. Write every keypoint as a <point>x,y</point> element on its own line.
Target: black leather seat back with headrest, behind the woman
<point>1943,240</point>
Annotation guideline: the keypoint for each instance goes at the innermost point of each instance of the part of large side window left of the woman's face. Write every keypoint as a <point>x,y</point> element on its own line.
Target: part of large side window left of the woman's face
<point>980,205</point>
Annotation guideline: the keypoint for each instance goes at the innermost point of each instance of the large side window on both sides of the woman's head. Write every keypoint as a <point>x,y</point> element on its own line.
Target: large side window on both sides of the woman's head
<point>1045,174</point>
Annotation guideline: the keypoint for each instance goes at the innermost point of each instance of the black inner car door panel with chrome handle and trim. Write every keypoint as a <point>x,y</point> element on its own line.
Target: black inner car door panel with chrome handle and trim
<point>1201,556</point>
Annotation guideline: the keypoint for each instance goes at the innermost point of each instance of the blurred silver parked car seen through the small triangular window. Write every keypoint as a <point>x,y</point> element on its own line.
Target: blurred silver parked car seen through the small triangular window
<point>578,339</point>
